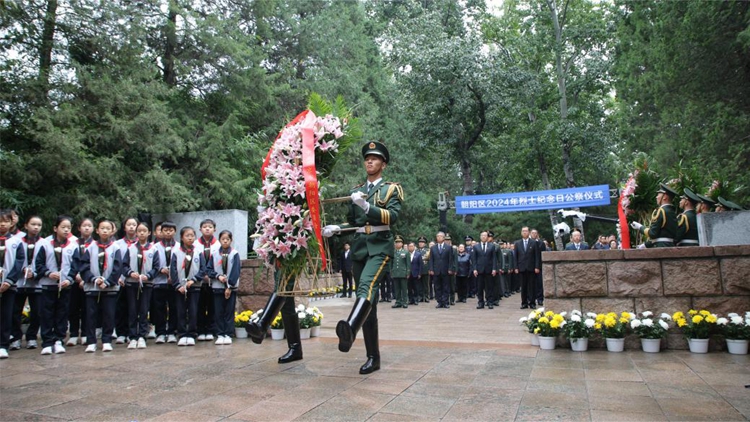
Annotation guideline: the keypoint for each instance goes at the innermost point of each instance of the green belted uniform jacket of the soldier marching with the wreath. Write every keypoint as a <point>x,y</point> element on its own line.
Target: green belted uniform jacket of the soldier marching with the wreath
<point>385,204</point>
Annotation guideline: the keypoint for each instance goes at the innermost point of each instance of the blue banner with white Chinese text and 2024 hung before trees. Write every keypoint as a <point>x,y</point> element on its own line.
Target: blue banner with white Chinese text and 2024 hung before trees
<point>588,196</point>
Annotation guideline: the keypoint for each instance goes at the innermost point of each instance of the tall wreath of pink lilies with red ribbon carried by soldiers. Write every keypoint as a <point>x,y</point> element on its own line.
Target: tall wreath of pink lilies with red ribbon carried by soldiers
<point>288,229</point>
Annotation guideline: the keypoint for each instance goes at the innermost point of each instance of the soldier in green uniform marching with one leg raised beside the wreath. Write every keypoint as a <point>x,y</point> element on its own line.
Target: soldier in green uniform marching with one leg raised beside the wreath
<point>375,206</point>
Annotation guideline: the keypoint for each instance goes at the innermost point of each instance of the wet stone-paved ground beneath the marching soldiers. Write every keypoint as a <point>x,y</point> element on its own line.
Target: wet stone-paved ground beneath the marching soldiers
<point>456,364</point>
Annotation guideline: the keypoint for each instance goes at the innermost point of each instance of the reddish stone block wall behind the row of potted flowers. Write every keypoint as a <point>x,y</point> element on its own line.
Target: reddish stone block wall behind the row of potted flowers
<point>659,280</point>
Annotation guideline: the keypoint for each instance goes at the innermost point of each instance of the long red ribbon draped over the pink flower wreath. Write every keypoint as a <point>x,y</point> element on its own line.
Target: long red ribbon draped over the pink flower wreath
<point>307,118</point>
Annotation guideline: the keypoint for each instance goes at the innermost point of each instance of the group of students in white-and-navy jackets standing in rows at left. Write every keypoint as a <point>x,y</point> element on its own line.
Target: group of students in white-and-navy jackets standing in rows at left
<point>91,285</point>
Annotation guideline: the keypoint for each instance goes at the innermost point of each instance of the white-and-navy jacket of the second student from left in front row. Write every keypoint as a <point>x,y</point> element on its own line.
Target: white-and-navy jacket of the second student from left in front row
<point>51,258</point>
